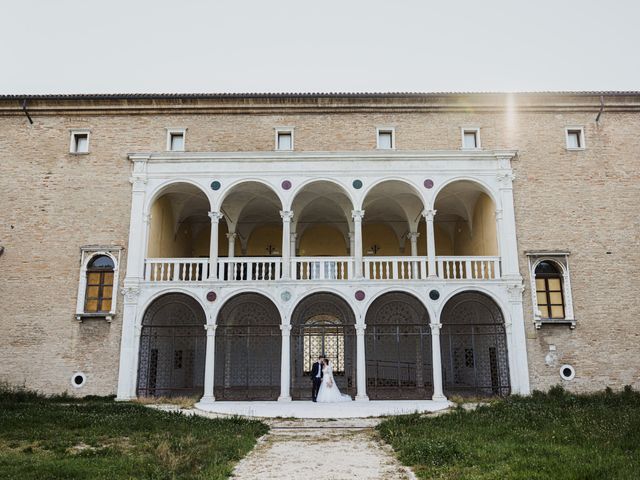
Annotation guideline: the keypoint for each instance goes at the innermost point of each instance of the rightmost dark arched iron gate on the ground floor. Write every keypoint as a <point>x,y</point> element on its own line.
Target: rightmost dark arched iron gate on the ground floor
<point>474,347</point>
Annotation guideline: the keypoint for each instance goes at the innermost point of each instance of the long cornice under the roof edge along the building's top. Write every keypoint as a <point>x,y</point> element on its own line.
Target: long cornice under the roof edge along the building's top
<point>319,103</point>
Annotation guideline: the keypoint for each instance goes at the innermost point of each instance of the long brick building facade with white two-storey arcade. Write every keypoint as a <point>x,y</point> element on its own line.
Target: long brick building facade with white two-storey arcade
<point>561,167</point>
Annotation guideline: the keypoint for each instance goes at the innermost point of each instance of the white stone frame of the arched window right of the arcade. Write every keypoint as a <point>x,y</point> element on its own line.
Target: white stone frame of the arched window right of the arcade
<point>561,260</point>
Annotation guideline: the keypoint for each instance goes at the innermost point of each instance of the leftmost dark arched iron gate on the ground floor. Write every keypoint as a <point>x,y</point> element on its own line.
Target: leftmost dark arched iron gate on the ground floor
<point>172,348</point>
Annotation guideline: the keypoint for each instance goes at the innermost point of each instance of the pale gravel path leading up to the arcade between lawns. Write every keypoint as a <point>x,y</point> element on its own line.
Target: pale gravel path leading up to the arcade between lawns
<point>321,450</point>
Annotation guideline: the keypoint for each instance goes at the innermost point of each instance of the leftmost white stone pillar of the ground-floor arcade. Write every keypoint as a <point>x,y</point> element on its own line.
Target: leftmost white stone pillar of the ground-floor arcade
<point>129,345</point>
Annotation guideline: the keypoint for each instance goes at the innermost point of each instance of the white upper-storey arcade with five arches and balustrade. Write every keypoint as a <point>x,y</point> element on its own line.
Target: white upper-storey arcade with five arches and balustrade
<point>262,217</point>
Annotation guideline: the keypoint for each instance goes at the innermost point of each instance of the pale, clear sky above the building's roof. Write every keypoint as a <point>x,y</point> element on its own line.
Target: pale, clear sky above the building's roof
<point>198,46</point>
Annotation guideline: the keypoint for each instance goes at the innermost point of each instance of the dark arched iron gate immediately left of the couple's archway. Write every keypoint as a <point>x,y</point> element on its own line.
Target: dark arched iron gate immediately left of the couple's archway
<point>248,346</point>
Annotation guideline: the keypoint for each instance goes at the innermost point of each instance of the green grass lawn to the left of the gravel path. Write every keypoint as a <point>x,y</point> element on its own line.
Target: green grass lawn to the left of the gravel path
<point>98,438</point>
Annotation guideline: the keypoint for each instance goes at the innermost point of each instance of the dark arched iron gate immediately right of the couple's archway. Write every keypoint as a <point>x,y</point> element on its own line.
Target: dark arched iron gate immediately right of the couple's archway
<point>398,348</point>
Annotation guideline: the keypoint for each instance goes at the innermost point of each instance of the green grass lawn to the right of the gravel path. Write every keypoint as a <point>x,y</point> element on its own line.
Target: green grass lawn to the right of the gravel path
<point>545,436</point>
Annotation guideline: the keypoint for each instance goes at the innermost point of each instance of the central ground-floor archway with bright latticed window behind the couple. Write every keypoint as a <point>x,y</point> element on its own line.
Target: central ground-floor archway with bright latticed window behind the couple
<point>322,324</point>
